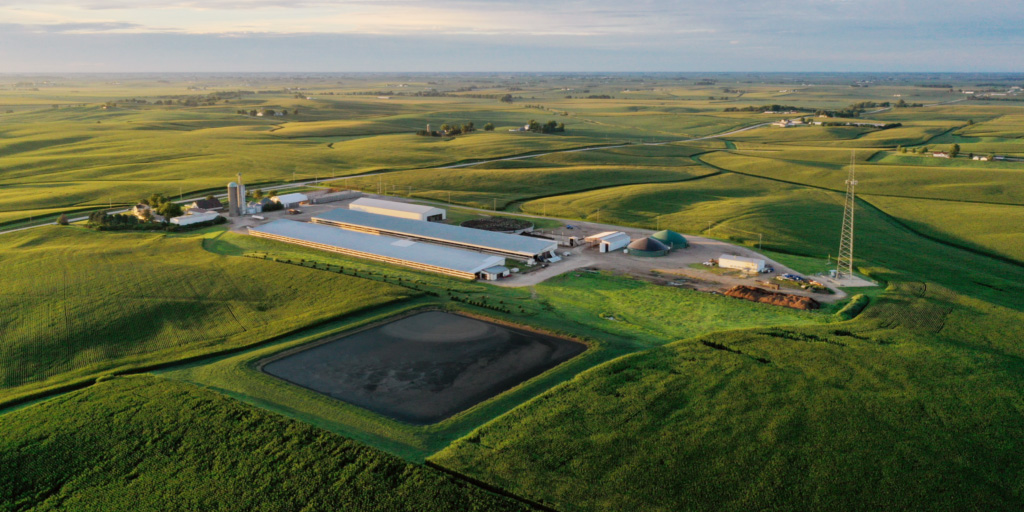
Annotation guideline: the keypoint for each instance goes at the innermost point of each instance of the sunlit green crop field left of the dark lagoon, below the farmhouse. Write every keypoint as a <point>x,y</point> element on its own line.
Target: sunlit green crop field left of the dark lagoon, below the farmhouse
<point>78,304</point>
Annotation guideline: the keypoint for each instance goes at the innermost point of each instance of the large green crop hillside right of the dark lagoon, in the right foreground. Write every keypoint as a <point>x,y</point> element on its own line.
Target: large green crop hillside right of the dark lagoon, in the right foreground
<point>917,405</point>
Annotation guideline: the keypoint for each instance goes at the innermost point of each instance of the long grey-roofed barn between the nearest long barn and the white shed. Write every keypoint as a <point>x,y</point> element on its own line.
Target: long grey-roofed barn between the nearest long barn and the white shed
<point>509,246</point>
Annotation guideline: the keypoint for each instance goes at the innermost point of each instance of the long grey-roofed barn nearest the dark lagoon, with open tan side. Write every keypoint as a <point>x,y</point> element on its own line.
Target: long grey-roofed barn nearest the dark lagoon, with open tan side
<point>430,258</point>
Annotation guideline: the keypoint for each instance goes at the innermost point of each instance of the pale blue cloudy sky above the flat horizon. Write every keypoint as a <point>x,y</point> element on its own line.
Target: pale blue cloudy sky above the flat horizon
<point>117,36</point>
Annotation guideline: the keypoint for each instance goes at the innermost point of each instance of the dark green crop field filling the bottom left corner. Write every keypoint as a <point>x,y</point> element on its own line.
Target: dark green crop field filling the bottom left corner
<point>147,444</point>
